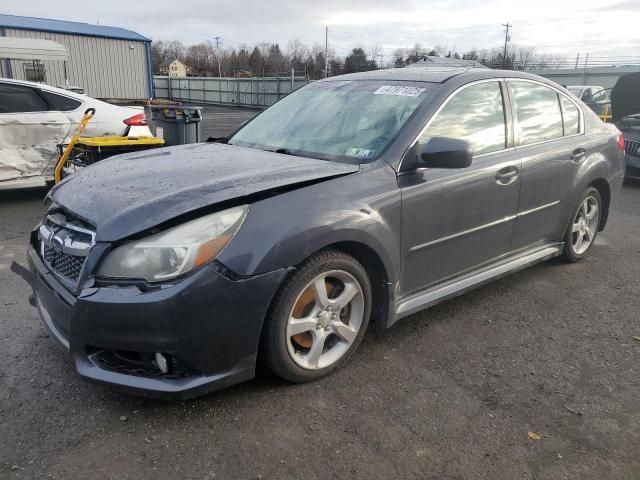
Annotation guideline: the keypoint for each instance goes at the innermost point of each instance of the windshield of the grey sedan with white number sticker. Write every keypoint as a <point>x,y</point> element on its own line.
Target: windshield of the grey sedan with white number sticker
<point>338,120</point>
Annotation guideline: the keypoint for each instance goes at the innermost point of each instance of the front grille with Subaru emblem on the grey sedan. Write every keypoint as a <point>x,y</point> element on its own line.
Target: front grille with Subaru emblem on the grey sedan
<point>64,245</point>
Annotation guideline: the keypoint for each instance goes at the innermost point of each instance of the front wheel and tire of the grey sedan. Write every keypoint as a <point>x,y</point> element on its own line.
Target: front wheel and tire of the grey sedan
<point>306,337</point>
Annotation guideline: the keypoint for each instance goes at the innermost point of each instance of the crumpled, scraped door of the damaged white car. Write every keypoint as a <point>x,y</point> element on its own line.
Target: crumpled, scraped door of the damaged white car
<point>29,132</point>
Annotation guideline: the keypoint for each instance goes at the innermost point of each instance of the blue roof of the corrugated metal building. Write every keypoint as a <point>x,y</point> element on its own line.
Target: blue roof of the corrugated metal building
<point>70,28</point>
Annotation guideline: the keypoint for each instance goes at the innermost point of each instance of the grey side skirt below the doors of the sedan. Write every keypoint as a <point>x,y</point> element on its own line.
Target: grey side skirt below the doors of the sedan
<point>426,298</point>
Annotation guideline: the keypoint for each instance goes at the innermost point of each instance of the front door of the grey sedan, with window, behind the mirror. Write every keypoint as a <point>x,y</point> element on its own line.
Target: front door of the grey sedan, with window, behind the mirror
<point>454,220</point>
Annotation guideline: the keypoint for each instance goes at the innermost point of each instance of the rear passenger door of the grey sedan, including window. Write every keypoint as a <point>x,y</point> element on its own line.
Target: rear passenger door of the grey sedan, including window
<point>548,130</point>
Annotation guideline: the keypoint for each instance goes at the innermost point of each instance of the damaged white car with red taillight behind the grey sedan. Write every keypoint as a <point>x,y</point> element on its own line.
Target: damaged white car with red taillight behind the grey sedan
<point>36,118</point>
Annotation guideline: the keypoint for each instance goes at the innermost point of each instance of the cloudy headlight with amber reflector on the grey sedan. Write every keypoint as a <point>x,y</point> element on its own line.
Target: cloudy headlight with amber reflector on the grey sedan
<point>175,251</point>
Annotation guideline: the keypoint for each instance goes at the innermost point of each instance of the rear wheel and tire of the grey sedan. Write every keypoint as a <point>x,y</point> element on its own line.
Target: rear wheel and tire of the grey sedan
<point>587,230</point>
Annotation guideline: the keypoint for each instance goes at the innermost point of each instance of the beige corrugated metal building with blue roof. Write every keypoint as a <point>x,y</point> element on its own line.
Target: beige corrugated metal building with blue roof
<point>107,62</point>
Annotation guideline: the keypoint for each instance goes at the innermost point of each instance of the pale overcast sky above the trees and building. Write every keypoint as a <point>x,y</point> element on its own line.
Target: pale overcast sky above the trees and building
<point>602,28</point>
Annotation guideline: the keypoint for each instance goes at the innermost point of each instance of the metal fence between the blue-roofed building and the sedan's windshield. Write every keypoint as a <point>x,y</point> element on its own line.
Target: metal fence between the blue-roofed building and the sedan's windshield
<point>246,92</point>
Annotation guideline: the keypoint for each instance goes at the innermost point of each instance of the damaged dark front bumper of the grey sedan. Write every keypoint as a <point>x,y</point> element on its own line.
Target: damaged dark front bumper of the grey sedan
<point>208,323</point>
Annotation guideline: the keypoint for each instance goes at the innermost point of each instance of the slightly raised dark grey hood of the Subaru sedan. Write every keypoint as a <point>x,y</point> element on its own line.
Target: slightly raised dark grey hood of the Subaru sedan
<point>131,193</point>
